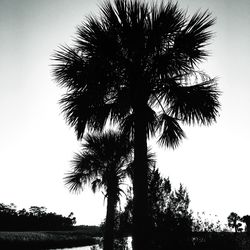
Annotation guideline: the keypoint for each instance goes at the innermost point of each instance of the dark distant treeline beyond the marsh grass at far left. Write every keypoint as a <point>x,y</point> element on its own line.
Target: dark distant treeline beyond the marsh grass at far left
<point>35,219</point>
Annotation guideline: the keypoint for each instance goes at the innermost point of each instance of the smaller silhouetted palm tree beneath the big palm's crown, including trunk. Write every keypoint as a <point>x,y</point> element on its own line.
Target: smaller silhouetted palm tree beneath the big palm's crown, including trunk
<point>102,164</point>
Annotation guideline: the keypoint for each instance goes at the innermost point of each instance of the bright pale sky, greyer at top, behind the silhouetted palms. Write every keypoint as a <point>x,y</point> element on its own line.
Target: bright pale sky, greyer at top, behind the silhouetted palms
<point>36,145</point>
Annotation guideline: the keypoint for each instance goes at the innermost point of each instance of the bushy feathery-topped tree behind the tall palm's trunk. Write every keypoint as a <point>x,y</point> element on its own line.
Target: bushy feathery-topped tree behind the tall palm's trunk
<point>170,218</point>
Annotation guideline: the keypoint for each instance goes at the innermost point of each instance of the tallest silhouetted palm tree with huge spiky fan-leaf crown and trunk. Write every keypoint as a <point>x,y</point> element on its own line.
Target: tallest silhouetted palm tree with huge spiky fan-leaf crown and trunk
<point>136,66</point>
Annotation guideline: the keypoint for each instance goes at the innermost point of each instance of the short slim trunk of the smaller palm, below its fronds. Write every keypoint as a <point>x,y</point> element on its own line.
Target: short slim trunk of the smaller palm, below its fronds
<point>108,243</point>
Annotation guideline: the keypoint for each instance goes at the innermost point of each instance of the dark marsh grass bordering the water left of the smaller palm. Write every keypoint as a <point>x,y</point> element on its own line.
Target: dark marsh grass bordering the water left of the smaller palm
<point>44,240</point>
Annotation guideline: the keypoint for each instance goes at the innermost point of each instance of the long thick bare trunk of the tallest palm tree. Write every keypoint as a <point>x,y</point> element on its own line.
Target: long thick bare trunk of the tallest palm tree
<point>140,185</point>
